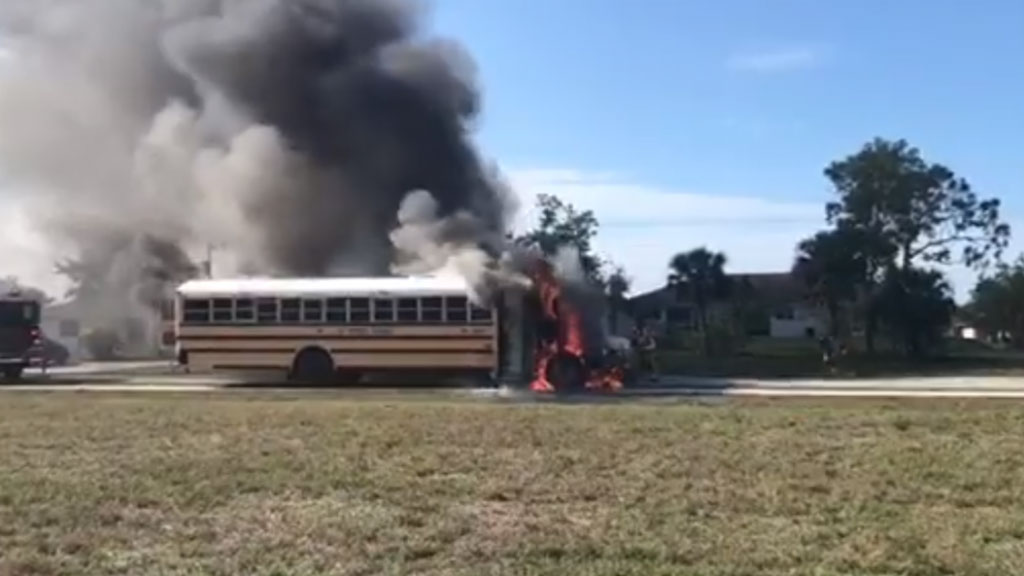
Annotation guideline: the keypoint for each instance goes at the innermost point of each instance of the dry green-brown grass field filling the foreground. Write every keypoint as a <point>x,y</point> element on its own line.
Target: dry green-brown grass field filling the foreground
<point>261,486</point>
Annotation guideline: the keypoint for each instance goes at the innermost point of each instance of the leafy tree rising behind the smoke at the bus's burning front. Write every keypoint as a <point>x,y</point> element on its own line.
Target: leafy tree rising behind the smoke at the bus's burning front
<point>561,226</point>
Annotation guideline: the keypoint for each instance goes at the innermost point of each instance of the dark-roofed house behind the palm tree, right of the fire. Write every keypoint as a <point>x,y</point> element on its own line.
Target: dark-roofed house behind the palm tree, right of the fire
<point>760,305</point>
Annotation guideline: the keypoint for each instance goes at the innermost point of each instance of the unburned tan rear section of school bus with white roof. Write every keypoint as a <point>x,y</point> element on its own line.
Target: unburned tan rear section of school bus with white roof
<point>318,330</point>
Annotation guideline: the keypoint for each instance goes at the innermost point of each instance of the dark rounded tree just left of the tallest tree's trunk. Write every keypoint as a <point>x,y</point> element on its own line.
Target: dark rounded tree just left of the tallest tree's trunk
<point>832,266</point>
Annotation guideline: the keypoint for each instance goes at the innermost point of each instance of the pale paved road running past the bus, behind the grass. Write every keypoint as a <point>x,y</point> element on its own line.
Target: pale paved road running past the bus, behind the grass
<point>159,377</point>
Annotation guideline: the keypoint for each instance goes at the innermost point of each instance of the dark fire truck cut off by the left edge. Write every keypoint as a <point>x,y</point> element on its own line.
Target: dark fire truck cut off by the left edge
<point>20,336</point>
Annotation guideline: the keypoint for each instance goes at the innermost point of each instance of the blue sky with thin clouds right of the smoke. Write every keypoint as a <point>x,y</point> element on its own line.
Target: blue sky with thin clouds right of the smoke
<point>686,122</point>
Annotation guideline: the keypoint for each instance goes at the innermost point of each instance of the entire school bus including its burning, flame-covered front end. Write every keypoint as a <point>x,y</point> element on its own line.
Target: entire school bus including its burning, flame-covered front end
<point>318,331</point>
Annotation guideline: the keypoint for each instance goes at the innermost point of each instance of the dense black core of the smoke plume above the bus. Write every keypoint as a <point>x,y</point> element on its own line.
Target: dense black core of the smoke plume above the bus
<point>373,110</point>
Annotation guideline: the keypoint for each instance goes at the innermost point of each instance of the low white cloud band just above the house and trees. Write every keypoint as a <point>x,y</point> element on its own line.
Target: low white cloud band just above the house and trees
<point>643,227</point>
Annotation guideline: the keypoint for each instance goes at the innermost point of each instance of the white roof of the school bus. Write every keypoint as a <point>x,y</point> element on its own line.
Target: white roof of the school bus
<point>284,287</point>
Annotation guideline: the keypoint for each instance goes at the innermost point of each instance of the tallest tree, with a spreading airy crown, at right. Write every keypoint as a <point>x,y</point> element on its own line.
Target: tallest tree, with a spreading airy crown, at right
<point>910,212</point>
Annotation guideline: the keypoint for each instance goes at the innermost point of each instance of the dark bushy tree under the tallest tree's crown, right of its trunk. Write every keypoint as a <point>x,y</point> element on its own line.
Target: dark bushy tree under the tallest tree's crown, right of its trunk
<point>918,307</point>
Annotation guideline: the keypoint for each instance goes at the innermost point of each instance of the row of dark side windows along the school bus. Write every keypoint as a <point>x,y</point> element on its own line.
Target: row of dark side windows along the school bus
<point>452,310</point>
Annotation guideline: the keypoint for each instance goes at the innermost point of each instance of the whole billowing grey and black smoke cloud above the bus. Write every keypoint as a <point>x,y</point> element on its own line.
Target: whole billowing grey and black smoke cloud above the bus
<point>300,137</point>
